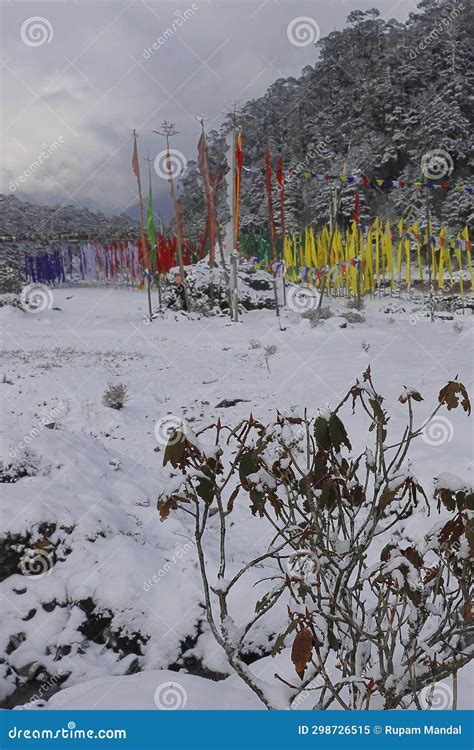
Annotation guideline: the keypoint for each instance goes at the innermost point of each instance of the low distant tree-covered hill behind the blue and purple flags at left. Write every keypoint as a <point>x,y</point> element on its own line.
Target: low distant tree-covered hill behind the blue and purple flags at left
<point>21,219</point>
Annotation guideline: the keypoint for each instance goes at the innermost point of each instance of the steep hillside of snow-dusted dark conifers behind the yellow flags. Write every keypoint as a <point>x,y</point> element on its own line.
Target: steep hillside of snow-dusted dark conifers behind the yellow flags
<point>379,97</point>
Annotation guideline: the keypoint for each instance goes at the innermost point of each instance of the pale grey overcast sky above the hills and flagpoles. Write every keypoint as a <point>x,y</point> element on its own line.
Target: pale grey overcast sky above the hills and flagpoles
<point>78,76</point>
